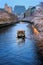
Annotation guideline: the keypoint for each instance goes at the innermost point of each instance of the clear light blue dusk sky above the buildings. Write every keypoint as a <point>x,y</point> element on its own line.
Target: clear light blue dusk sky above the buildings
<point>26,3</point>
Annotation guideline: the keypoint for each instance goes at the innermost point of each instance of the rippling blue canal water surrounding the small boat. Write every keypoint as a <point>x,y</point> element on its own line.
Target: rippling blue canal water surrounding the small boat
<point>14,51</point>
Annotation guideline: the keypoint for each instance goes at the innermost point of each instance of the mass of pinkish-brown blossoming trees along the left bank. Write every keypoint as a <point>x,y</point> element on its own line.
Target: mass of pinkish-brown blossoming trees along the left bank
<point>5,16</point>
